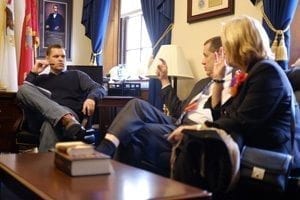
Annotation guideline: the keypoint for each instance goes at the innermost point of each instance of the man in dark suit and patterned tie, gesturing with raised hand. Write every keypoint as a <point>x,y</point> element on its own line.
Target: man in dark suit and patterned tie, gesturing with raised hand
<point>138,115</point>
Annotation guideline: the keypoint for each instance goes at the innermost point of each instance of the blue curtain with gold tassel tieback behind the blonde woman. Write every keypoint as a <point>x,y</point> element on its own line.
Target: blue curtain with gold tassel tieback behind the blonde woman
<point>278,14</point>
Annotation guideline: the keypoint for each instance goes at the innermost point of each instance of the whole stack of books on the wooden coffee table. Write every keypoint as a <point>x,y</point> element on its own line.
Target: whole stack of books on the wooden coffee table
<point>79,159</point>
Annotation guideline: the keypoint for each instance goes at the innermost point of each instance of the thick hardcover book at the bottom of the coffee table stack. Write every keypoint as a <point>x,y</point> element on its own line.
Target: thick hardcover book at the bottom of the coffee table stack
<point>83,164</point>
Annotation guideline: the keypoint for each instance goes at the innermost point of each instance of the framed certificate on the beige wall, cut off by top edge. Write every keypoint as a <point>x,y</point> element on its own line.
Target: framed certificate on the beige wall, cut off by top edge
<point>200,10</point>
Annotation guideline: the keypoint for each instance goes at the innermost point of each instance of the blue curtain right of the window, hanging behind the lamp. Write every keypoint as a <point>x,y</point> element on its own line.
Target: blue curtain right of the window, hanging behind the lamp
<point>158,15</point>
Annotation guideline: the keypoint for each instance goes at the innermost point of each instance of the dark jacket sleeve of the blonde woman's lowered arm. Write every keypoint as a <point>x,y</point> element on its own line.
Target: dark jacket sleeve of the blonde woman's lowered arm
<point>257,100</point>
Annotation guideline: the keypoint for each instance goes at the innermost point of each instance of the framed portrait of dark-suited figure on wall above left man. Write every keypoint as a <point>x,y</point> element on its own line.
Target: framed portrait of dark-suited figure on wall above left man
<point>55,20</point>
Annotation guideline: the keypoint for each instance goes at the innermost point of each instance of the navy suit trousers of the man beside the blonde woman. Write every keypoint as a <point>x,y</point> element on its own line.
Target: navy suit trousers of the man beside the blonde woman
<point>141,129</point>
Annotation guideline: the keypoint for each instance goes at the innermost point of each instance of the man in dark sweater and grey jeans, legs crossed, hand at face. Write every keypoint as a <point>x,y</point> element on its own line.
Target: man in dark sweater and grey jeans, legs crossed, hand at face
<point>55,102</point>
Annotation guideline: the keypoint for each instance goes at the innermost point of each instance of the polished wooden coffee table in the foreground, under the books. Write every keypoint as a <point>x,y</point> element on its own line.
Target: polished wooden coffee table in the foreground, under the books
<point>39,178</point>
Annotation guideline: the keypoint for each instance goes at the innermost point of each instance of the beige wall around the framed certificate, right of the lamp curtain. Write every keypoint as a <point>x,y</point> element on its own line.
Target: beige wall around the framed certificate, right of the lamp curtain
<point>192,36</point>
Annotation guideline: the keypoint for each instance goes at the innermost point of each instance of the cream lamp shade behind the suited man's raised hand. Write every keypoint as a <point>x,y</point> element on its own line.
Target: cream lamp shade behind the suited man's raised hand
<point>174,57</point>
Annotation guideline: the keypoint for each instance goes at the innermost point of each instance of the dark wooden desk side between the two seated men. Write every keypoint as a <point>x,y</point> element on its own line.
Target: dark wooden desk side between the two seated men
<point>108,108</point>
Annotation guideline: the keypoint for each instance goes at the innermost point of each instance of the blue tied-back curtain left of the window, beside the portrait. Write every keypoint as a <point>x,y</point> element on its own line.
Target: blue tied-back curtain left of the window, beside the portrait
<point>95,14</point>
